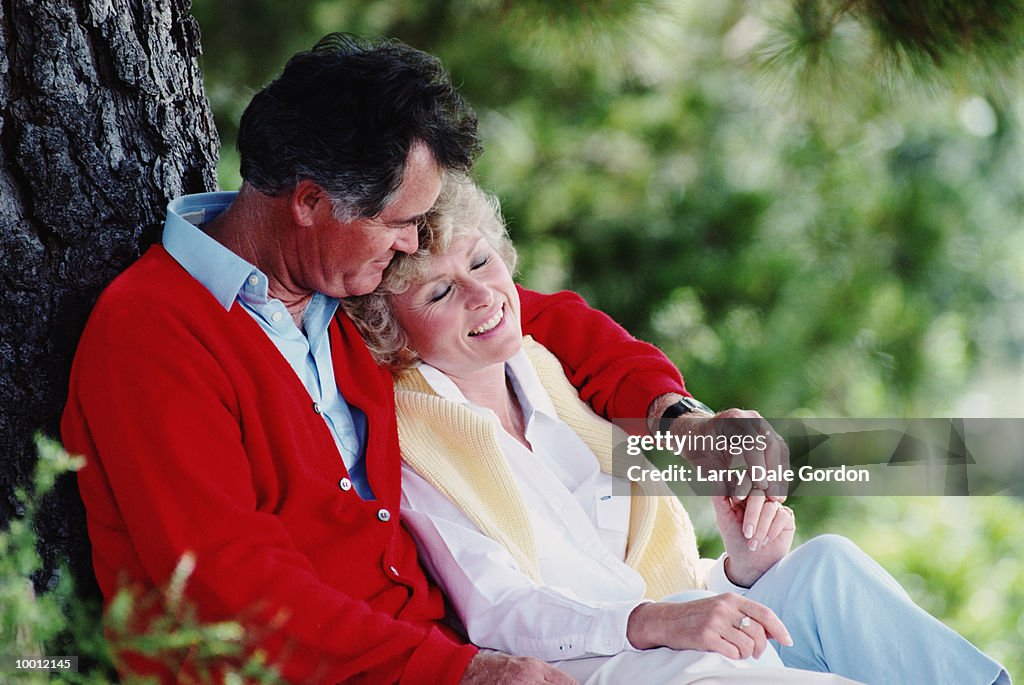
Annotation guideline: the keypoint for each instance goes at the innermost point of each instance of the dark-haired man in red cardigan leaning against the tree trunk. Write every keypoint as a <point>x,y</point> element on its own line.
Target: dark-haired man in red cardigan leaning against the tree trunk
<point>228,412</point>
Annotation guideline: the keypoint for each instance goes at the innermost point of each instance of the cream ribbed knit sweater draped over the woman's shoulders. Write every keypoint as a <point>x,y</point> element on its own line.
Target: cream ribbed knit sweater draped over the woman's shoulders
<point>457,452</point>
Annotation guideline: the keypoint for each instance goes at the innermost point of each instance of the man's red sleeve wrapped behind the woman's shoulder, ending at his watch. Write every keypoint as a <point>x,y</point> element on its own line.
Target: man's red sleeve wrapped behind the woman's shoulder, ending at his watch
<point>618,375</point>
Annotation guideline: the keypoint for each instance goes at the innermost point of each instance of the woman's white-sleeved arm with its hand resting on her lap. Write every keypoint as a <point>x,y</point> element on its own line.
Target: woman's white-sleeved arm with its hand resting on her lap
<point>503,609</point>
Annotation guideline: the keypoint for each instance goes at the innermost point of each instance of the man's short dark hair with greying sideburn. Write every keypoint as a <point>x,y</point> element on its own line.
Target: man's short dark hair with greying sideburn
<point>345,116</point>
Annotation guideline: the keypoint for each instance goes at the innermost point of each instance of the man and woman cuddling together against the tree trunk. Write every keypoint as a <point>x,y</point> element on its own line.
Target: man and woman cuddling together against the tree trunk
<point>229,410</point>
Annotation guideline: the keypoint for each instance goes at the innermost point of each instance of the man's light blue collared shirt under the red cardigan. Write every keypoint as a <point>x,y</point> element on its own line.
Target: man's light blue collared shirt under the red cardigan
<point>231,279</point>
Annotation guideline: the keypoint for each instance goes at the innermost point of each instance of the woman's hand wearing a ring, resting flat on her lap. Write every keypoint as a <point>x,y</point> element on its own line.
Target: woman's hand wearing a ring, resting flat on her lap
<point>716,624</point>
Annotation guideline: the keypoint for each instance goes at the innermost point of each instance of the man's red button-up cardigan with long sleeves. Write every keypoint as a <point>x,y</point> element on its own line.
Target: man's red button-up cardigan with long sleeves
<point>200,438</point>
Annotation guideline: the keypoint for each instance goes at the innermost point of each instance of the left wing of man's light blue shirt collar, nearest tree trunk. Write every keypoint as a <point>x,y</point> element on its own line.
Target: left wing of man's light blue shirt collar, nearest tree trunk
<point>223,273</point>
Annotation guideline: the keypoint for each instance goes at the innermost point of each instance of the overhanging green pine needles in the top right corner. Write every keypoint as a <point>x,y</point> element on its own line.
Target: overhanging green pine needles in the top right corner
<point>842,50</point>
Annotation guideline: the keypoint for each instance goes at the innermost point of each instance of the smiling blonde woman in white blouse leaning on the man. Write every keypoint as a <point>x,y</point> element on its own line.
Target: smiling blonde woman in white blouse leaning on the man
<point>508,491</point>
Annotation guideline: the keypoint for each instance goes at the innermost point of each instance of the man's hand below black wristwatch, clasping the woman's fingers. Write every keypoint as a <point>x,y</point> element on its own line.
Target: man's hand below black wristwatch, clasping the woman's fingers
<point>746,426</point>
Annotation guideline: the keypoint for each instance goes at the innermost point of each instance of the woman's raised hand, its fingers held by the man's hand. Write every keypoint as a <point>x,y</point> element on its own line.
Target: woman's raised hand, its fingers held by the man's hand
<point>757,533</point>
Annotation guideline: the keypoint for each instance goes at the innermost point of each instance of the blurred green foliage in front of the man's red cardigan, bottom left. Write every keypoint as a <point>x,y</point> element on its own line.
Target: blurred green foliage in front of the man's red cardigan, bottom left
<point>58,622</point>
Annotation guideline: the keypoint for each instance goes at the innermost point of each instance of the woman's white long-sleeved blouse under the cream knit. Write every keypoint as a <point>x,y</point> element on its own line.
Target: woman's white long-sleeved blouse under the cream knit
<point>580,531</point>
